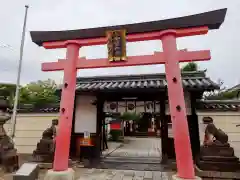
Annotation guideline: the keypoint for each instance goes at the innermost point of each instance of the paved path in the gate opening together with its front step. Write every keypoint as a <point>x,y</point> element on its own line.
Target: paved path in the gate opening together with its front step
<point>139,154</point>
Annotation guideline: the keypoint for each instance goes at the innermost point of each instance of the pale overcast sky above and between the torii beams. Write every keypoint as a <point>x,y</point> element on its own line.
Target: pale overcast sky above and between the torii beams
<point>75,14</point>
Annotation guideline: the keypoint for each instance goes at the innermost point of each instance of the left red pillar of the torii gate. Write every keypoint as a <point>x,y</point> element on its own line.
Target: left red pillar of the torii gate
<point>66,110</point>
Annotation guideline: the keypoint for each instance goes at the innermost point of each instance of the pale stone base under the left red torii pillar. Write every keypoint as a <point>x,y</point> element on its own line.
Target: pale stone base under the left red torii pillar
<point>57,175</point>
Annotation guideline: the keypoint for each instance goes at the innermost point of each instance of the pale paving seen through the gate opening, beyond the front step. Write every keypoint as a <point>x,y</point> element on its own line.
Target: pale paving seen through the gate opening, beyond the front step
<point>139,147</point>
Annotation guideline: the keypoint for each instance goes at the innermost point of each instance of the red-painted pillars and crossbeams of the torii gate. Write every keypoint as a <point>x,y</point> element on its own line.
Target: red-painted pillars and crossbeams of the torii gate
<point>170,57</point>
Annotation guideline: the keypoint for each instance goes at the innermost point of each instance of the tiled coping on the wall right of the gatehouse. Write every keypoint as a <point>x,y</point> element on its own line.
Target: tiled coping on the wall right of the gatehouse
<point>219,105</point>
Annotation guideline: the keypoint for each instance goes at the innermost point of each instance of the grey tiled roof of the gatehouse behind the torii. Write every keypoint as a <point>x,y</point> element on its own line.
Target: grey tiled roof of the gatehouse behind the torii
<point>190,80</point>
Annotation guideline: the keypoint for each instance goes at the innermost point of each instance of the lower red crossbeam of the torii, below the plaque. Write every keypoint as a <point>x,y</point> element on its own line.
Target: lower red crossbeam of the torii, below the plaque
<point>157,58</point>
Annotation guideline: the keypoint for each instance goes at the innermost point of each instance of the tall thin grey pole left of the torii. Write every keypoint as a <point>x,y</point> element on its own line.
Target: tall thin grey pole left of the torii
<point>19,74</point>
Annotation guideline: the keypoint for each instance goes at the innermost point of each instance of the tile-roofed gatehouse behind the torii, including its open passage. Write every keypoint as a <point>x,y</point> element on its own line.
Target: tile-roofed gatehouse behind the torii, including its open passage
<point>131,95</point>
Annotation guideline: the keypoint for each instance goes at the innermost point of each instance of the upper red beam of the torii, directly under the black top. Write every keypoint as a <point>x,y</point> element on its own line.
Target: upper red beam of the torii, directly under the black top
<point>130,38</point>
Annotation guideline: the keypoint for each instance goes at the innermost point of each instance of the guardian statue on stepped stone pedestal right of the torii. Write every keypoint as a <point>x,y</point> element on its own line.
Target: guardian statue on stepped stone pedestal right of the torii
<point>216,154</point>
